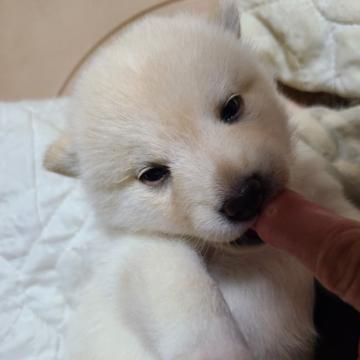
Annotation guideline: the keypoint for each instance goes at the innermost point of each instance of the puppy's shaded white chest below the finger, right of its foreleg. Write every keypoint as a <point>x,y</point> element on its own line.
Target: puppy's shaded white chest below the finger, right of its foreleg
<point>271,298</point>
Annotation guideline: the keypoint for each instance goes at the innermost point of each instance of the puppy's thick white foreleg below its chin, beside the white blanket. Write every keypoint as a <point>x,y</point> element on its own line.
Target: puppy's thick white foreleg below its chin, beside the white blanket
<point>157,294</point>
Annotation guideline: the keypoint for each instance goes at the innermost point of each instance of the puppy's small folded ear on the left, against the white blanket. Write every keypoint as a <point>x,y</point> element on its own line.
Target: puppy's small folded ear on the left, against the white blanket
<point>61,157</point>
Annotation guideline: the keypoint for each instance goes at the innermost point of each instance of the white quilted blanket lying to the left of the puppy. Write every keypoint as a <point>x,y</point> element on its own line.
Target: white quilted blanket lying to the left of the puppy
<point>45,228</point>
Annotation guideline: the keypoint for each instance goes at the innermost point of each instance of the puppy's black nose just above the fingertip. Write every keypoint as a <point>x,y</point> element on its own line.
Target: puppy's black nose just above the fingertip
<point>247,202</point>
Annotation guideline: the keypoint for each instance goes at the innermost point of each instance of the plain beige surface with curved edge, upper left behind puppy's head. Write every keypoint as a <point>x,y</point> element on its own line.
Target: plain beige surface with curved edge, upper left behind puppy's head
<point>43,41</point>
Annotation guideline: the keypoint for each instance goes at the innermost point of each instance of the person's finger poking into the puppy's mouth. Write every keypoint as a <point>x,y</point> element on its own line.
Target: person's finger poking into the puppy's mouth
<point>327,244</point>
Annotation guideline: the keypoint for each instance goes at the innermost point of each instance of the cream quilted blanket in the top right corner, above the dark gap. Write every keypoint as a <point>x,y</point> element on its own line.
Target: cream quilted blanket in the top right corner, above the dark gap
<point>311,45</point>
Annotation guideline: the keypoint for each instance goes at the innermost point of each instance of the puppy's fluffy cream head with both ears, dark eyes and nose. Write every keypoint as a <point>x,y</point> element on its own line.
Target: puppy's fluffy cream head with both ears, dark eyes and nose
<point>176,129</point>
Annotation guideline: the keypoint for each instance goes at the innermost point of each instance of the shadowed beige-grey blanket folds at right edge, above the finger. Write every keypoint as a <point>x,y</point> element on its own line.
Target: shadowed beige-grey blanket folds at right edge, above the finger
<point>335,135</point>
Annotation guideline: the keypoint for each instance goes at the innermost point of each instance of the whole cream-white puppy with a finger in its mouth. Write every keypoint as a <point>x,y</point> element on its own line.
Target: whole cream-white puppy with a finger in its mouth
<point>179,137</point>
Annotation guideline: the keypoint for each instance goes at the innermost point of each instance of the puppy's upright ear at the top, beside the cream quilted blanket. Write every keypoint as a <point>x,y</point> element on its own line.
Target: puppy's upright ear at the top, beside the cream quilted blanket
<point>227,15</point>
